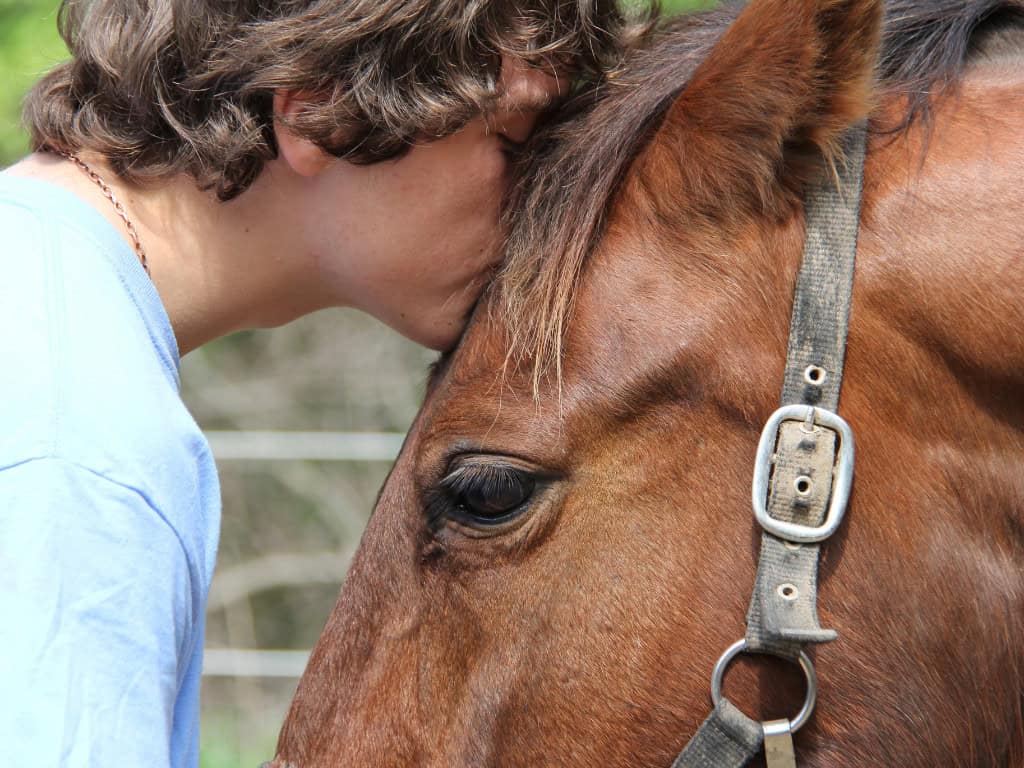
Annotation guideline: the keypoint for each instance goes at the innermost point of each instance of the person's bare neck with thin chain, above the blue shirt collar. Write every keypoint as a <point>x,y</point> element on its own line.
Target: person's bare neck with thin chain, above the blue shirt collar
<point>219,268</point>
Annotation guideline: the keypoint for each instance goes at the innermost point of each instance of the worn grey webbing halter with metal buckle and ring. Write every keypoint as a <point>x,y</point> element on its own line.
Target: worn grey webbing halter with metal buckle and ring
<point>802,477</point>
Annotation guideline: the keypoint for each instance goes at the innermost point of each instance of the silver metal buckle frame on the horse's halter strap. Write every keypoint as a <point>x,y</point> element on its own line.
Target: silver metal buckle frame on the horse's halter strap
<point>814,417</point>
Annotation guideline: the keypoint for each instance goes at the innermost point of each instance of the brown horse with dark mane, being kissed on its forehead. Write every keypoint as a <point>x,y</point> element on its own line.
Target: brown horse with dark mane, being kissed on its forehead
<point>558,560</point>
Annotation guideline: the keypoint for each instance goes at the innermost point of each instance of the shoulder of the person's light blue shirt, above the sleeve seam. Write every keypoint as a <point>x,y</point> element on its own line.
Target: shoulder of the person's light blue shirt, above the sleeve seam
<point>90,357</point>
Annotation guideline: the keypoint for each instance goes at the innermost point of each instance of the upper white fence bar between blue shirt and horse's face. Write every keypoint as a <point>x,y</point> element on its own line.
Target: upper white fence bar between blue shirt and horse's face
<point>254,446</point>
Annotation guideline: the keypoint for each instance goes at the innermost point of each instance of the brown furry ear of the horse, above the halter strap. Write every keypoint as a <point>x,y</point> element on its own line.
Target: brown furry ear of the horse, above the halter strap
<point>776,95</point>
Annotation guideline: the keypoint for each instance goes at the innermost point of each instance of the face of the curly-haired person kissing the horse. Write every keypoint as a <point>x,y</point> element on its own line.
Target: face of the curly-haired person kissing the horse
<point>414,241</point>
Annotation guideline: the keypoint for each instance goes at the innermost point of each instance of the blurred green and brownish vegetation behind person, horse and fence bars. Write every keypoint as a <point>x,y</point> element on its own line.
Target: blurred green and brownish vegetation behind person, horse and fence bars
<point>335,371</point>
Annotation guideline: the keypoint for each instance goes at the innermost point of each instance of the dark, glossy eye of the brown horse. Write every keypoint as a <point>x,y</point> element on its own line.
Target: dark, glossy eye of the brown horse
<point>489,494</point>
